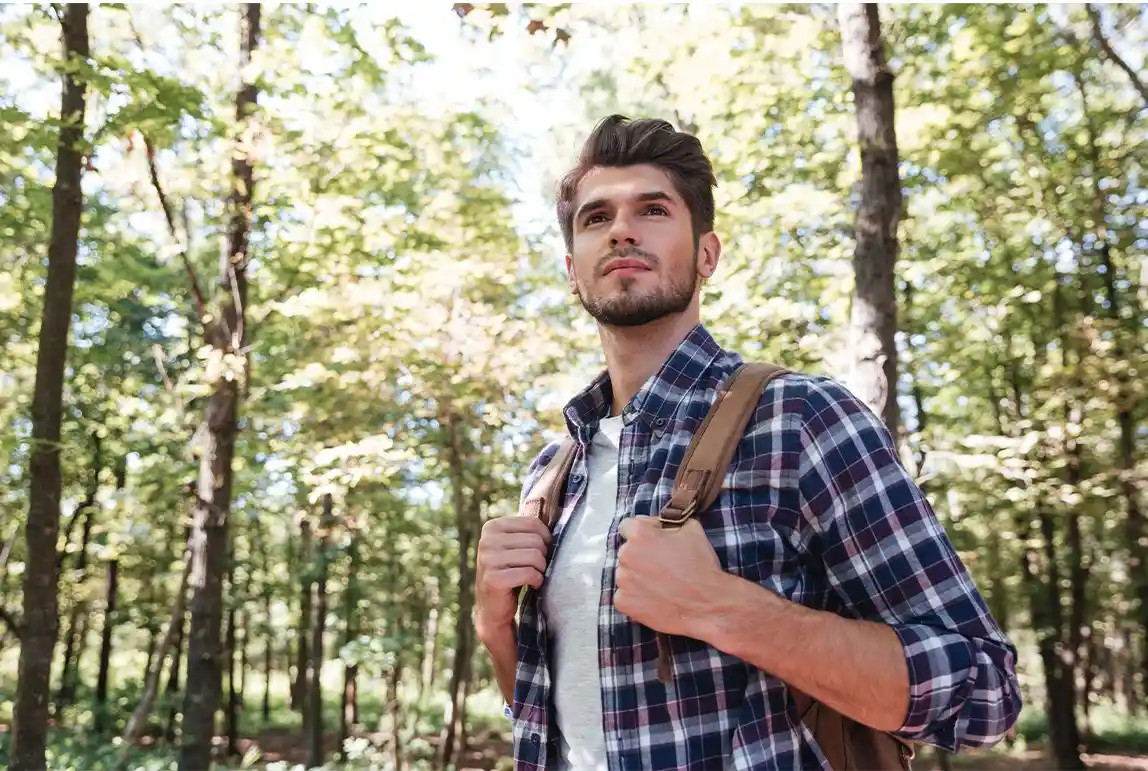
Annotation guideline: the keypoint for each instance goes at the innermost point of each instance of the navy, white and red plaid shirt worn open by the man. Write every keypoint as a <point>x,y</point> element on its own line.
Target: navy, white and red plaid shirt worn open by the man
<point>817,508</point>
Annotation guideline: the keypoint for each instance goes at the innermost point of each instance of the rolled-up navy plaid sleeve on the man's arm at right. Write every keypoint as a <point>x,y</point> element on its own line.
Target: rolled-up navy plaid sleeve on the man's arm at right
<point>889,559</point>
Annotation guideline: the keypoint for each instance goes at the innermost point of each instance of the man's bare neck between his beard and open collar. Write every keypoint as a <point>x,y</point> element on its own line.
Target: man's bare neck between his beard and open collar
<point>635,354</point>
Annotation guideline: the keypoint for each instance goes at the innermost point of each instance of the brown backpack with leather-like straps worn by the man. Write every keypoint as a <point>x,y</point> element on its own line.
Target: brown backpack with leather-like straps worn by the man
<point>848,745</point>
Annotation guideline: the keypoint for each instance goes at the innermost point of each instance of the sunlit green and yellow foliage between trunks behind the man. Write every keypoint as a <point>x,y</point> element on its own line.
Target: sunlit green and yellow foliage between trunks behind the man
<point>413,342</point>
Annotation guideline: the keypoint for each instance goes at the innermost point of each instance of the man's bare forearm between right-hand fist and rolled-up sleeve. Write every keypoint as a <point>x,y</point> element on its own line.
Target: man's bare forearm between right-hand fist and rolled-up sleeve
<point>857,668</point>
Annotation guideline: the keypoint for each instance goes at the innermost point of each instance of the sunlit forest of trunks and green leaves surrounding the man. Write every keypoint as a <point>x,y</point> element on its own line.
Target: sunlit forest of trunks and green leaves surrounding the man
<point>284,320</point>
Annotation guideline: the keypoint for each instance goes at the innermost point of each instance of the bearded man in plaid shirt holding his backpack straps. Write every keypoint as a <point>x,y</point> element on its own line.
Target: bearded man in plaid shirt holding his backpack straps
<point>821,566</point>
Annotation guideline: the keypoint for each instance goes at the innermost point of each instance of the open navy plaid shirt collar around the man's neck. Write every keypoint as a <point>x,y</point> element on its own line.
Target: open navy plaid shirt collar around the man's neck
<point>658,398</point>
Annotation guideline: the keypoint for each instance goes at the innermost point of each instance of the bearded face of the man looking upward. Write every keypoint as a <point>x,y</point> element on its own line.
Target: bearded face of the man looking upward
<point>634,258</point>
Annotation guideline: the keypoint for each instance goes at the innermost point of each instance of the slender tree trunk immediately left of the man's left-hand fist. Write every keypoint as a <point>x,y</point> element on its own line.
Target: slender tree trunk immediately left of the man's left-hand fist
<point>460,675</point>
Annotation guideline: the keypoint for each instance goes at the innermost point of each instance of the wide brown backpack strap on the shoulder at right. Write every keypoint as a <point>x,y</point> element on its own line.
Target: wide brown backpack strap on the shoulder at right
<point>711,451</point>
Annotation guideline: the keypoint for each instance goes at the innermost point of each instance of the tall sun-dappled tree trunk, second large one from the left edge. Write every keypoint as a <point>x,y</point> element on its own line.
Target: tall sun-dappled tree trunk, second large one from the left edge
<point>227,338</point>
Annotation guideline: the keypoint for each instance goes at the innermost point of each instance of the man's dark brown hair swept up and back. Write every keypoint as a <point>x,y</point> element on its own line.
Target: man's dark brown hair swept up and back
<point>618,142</point>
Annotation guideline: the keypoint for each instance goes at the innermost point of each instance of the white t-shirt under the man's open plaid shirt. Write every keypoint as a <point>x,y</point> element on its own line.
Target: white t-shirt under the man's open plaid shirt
<point>571,604</point>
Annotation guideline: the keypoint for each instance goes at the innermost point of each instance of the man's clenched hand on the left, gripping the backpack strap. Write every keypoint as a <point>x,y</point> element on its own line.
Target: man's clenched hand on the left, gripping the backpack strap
<point>513,554</point>
